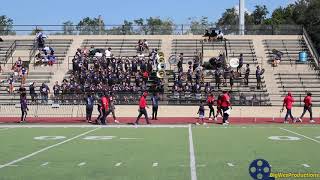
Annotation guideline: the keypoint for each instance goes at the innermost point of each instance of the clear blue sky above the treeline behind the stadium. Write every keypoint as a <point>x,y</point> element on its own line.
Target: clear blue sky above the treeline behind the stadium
<point>114,12</point>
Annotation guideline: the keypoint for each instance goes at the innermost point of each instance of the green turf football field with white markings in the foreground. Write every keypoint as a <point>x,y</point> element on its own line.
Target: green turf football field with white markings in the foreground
<point>155,152</point>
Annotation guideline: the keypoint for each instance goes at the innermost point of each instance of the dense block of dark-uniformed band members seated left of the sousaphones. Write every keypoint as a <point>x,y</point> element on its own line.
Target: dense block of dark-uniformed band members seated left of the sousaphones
<point>98,71</point>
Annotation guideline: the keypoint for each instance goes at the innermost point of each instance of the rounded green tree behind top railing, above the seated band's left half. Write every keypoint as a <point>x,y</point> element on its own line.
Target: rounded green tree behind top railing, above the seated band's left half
<point>90,26</point>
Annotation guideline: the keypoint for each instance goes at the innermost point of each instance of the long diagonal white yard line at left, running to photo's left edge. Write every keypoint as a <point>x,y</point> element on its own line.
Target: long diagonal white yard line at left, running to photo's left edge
<point>46,148</point>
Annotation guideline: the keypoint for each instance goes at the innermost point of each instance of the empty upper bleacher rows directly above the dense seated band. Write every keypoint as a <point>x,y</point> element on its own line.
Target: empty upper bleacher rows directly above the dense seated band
<point>120,47</point>
